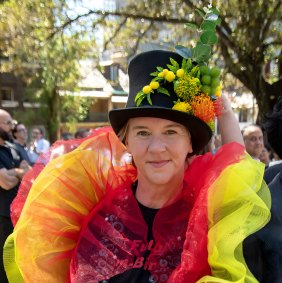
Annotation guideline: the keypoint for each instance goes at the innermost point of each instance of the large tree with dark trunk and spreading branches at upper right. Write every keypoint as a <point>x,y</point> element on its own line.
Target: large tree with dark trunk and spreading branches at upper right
<point>250,38</point>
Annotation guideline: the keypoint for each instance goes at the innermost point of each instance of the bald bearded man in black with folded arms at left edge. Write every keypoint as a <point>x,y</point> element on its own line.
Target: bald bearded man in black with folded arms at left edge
<point>12,169</point>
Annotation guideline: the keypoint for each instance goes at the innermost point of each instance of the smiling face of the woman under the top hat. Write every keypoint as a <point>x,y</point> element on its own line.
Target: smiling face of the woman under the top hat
<point>159,149</point>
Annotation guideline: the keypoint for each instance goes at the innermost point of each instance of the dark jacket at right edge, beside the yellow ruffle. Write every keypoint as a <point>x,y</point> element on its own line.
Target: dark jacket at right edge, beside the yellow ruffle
<point>263,250</point>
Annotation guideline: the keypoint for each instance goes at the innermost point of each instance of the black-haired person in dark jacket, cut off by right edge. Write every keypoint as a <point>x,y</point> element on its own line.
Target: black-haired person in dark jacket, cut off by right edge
<point>269,264</point>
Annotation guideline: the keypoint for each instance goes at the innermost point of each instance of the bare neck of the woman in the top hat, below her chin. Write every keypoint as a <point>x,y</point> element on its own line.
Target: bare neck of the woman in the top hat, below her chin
<point>157,196</point>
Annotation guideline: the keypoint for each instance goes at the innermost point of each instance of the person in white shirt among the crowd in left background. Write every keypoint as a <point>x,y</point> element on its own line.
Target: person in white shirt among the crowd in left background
<point>38,146</point>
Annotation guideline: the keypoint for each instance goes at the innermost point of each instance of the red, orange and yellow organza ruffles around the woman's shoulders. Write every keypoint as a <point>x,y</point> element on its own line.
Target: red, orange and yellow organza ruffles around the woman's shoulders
<point>60,220</point>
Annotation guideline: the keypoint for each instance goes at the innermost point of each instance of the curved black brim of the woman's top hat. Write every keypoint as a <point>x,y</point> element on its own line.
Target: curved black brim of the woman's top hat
<point>199,130</point>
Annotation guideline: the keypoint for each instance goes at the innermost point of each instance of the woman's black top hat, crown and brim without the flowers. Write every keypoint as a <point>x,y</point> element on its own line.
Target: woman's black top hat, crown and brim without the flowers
<point>161,104</point>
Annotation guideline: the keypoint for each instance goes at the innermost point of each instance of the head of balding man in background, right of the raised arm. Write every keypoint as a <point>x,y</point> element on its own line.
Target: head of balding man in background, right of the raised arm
<point>253,139</point>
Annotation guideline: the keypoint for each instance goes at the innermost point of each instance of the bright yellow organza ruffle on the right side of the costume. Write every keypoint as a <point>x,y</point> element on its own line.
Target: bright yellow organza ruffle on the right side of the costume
<point>238,205</point>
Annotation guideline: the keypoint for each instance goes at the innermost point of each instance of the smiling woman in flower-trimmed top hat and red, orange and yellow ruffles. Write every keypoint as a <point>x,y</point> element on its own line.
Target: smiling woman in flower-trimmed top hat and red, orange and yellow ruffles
<point>141,210</point>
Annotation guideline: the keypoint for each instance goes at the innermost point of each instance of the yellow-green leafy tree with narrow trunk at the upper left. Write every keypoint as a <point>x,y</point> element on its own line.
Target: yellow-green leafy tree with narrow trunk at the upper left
<point>46,64</point>
